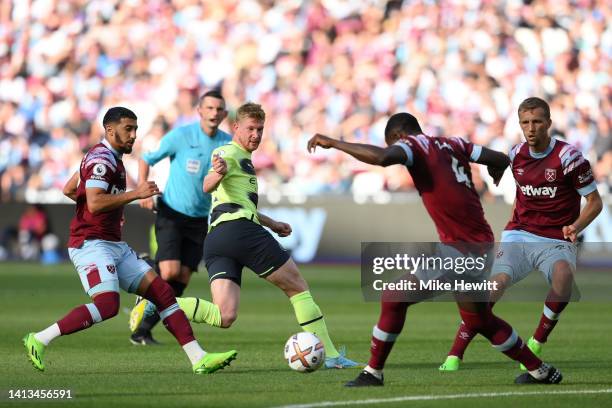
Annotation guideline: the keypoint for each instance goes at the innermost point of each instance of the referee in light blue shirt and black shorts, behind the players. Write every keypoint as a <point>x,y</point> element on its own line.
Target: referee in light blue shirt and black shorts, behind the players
<point>182,210</point>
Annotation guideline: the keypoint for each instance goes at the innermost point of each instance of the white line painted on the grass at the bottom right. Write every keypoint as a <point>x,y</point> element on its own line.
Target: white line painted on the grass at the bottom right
<point>443,397</point>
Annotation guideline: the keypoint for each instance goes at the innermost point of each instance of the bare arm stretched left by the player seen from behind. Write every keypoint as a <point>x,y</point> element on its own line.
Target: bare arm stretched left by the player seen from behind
<point>370,154</point>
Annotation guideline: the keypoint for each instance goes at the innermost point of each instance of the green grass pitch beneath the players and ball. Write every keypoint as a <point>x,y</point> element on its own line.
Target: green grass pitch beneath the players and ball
<point>103,369</point>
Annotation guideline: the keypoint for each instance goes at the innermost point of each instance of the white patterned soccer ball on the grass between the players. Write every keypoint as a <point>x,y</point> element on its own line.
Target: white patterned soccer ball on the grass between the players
<point>304,352</point>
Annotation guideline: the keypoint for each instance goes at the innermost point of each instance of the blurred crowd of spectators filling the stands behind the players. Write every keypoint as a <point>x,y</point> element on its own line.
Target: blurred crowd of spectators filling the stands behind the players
<point>338,67</point>
